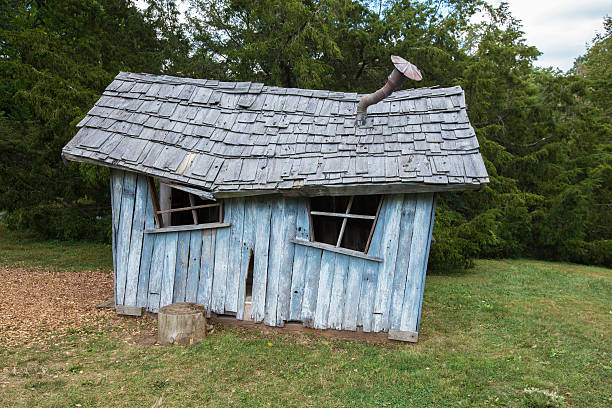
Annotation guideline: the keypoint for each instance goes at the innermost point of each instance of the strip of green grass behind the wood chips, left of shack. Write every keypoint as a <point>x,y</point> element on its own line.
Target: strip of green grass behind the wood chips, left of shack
<point>19,249</point>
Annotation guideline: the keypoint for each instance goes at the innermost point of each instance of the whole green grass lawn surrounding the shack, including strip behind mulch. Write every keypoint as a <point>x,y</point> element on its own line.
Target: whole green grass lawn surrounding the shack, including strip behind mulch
<point>515,333</point>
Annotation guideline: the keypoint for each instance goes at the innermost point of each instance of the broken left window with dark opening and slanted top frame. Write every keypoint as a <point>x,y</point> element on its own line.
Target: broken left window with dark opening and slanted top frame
<point>179,205</point>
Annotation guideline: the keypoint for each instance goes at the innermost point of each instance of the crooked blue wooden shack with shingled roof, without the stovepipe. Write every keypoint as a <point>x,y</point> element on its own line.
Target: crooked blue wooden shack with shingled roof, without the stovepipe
<point>270,204</point>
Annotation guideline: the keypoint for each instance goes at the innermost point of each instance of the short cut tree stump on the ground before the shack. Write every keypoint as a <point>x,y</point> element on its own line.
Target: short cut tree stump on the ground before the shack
<point>181,323</point>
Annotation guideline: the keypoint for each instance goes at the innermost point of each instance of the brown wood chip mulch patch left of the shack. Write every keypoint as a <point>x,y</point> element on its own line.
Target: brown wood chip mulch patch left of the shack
<point>37,305</point>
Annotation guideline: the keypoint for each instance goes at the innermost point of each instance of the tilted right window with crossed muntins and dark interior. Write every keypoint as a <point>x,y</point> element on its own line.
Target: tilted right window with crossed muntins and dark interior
<point>344,221</point>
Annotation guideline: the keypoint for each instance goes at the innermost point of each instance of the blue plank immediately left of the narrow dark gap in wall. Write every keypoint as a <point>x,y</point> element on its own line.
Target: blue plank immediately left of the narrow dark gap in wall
<point>235,255</point>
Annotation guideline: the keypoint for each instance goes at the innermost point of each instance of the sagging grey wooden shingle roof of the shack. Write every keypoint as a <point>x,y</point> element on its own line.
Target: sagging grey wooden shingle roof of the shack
<point>247,138</point>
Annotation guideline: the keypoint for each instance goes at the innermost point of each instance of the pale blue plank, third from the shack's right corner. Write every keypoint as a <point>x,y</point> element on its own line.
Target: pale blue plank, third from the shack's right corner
<point>386,269</point>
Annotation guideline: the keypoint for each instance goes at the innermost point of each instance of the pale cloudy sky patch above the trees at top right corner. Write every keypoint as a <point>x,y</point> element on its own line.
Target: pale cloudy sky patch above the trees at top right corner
<point>560,29</point>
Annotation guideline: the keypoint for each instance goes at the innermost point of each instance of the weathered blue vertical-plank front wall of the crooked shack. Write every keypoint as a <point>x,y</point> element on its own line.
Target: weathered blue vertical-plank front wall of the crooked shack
<point>319,288</point>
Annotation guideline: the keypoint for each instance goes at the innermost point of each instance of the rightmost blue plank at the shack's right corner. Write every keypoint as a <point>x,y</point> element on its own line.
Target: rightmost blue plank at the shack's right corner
<point>416,265</point>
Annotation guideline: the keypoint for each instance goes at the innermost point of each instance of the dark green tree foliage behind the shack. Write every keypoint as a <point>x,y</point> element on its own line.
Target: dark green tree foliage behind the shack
<point>545,135</point>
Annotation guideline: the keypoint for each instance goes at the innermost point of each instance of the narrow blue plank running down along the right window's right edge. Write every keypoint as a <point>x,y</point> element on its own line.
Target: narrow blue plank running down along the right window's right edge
<point>365,316</point>
